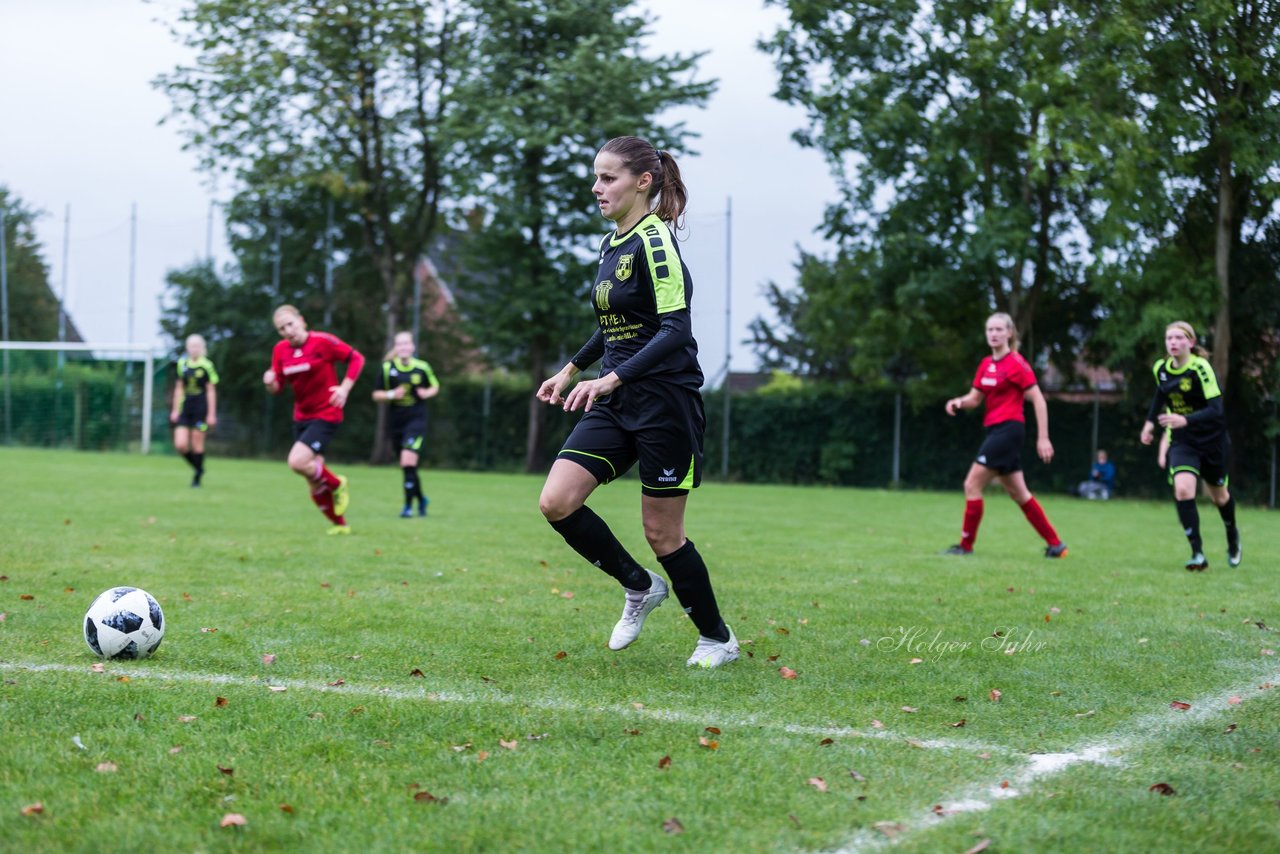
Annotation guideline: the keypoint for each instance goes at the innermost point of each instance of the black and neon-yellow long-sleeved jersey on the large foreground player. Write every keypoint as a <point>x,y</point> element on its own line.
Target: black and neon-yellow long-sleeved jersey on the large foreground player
<point>642,299</point>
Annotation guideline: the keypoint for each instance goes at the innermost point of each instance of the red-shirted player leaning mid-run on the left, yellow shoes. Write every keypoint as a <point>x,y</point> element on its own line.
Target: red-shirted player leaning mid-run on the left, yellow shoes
<point>307,360</point>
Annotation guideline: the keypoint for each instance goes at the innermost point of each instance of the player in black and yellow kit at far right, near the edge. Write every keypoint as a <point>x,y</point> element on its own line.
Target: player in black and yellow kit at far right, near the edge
<point>1190,405</point>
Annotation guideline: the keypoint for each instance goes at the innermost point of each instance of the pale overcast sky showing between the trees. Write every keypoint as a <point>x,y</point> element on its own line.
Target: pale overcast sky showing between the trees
<point>79,126</point>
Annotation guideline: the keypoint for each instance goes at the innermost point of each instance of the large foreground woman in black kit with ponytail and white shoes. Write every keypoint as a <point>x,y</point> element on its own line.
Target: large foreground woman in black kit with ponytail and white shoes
<point>646,407</point>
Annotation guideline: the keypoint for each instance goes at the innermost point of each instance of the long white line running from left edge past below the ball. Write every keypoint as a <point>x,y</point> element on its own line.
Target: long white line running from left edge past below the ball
<point>468,698</point>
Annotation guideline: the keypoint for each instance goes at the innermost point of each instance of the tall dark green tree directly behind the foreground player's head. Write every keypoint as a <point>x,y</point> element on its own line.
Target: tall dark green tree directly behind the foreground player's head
<point>554,81</point>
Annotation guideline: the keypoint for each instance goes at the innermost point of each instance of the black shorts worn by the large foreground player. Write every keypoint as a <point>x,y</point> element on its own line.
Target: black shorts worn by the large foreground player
<point>653,423</point>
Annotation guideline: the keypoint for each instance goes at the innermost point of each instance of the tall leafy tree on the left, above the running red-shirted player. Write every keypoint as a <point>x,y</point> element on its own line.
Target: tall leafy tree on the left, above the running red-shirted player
<point>355,98</point>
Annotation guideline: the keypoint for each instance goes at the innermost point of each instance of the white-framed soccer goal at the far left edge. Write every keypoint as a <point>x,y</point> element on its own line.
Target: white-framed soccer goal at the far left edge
<point>81,396</point>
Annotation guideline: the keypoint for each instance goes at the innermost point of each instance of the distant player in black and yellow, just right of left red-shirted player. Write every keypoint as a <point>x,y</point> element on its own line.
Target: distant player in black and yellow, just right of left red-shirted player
<point>408,385</point>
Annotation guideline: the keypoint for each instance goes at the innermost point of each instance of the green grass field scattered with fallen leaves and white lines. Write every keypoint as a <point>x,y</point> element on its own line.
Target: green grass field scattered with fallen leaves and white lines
<point>465,656</point>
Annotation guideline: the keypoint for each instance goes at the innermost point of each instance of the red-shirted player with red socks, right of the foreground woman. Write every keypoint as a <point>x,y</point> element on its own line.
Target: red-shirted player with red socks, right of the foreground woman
<point>1004,382</point>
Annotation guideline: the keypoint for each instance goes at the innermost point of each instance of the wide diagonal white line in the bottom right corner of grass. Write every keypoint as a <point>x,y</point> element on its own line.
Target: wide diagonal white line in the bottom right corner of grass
<point>1148,729</point>
